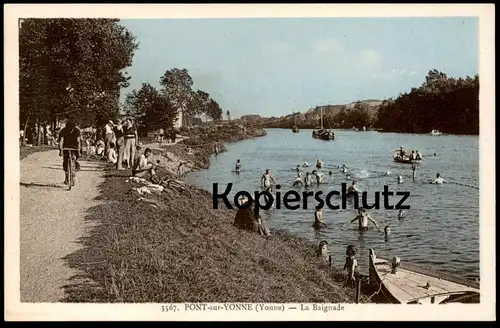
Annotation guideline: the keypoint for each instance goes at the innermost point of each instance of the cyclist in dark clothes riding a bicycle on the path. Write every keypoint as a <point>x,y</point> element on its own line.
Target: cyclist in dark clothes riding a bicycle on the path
<point>69,137</point>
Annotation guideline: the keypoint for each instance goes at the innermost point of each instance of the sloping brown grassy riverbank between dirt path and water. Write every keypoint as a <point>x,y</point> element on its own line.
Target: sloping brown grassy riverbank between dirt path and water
<point>172,247</point>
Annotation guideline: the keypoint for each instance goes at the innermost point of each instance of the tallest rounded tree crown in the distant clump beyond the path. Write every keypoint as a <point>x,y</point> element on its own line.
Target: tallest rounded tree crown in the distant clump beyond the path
<point>177,85</point>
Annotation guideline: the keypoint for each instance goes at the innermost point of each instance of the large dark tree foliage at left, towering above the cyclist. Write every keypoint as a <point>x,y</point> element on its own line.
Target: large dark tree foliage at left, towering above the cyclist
<point>72,68</point>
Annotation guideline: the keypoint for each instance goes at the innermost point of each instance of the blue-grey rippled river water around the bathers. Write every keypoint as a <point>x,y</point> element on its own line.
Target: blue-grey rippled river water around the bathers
<point>441,230</point>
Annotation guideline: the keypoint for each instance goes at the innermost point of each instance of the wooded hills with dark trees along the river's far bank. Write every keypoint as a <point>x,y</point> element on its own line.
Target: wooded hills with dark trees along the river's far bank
<point>448,104</point>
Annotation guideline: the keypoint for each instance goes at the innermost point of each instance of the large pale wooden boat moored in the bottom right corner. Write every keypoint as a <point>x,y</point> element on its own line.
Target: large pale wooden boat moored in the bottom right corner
<point>403,283</point>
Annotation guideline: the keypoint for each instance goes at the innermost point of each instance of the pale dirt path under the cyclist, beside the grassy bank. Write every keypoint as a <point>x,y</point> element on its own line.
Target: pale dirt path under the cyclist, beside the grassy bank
<point>51,222</point>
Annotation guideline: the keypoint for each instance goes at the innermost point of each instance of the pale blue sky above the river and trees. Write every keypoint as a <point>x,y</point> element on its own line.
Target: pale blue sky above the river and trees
<point>277,66</point>
